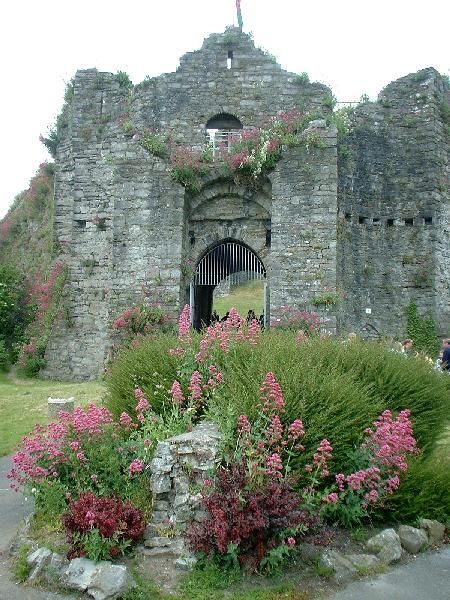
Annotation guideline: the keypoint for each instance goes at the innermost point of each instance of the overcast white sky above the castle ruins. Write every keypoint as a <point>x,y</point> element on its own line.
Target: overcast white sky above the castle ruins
<point>354,46</point>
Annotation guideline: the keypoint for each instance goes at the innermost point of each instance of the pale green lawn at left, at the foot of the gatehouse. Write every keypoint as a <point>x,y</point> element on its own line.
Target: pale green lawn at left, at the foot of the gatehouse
<point>23,403</point>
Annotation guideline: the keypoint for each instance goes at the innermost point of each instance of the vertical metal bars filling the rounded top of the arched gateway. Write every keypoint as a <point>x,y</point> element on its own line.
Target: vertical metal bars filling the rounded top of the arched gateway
<point>226,261</point>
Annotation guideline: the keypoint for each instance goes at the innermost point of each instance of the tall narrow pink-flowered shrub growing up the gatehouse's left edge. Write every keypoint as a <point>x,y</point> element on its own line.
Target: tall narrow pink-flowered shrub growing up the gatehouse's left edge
<point>45,298</point>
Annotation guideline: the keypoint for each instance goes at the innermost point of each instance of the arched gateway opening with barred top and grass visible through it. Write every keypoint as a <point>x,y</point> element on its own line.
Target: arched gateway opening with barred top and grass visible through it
<point>230,274</point>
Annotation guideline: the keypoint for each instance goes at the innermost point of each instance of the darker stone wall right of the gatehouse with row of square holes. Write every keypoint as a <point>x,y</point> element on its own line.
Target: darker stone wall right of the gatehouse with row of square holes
<point>394,207</point>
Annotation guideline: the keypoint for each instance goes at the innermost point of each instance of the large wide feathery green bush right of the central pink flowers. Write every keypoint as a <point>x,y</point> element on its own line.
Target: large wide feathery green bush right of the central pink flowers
<point>336,389</point>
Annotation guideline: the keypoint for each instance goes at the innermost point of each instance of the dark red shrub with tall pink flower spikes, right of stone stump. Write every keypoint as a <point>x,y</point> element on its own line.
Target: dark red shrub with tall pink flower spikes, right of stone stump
<point>252,508</point>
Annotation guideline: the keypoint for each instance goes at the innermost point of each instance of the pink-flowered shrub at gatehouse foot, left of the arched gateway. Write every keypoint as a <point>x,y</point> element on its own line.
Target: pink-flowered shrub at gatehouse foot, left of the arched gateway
<point>142,319</point>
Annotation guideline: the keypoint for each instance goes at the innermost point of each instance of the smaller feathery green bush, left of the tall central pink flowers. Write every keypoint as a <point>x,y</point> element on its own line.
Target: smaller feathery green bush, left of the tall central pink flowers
<point>148,366</point>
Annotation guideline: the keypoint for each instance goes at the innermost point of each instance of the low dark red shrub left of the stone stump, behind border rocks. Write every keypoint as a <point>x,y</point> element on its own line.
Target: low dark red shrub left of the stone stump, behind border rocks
<point>101,528</point>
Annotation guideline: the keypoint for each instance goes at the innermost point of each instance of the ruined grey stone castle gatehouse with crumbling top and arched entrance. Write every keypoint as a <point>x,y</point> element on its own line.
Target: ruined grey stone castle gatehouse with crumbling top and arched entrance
<point>365,215</point>
